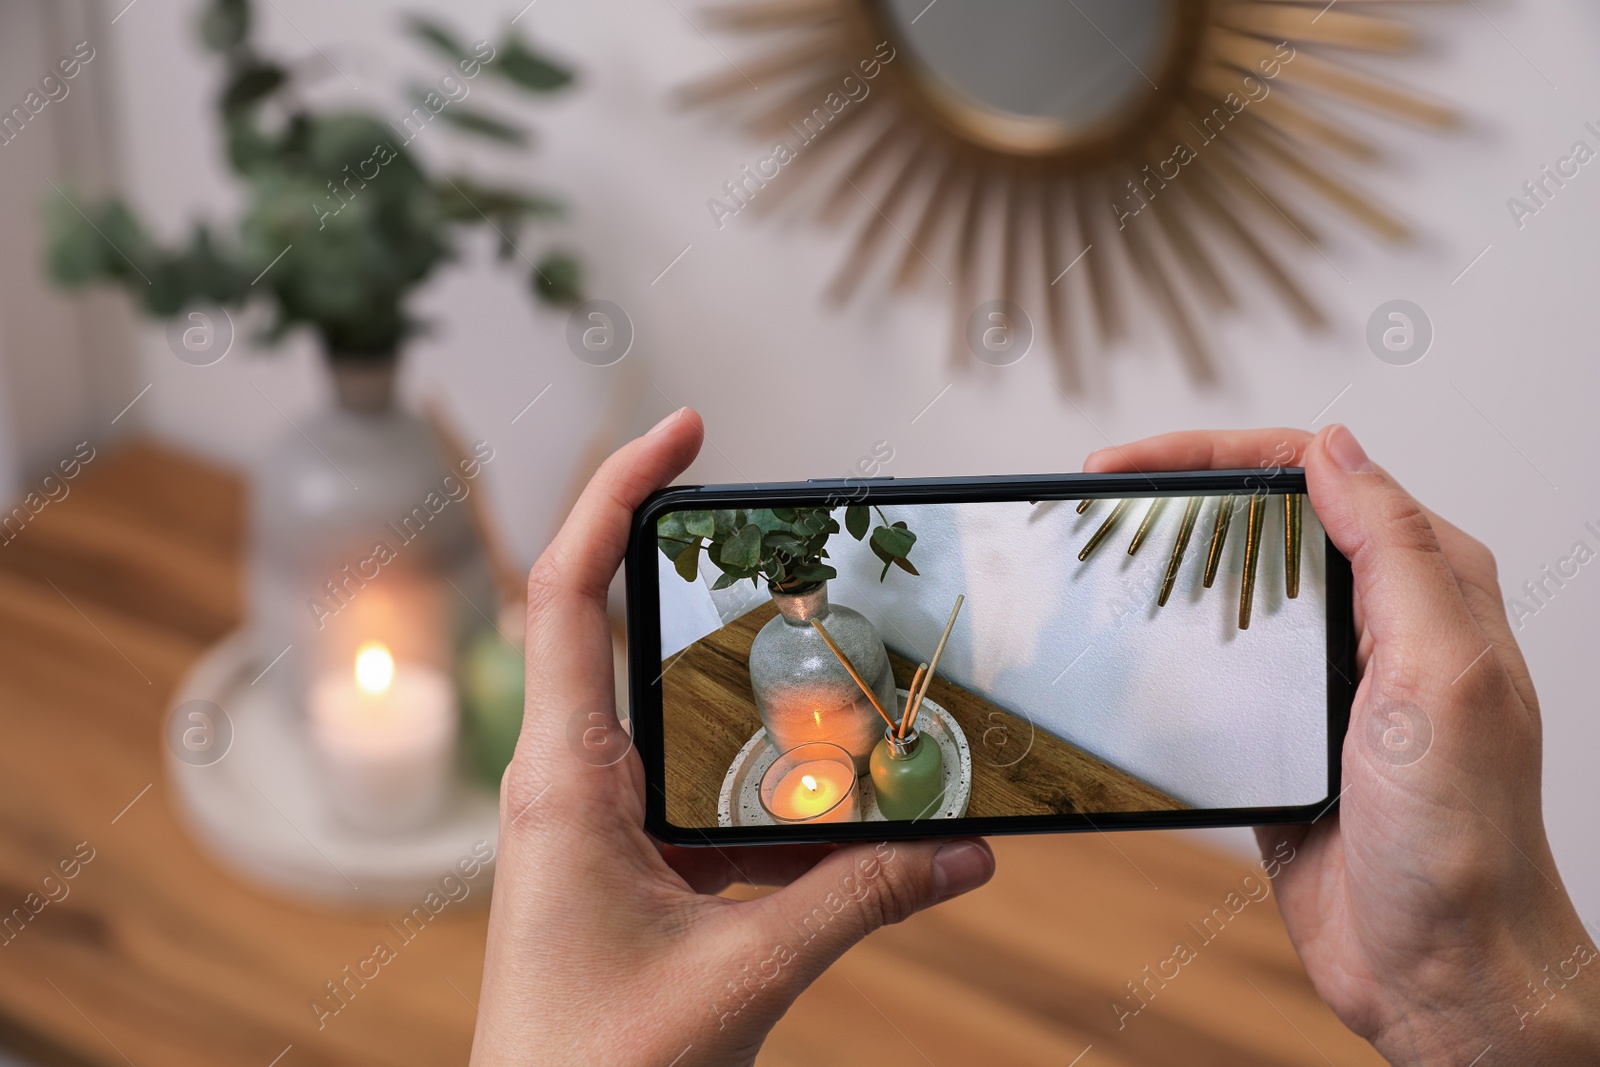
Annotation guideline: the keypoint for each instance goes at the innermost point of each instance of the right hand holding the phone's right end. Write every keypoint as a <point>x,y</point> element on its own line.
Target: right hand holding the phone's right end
<point>1428,911</point>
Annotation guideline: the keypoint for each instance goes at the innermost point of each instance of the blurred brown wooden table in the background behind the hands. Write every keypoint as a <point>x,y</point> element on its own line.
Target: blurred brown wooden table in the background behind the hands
<point>162,959</point>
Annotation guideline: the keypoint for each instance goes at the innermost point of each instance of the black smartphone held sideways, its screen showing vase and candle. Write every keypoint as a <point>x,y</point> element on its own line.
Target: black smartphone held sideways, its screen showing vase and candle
<point>870,660</point>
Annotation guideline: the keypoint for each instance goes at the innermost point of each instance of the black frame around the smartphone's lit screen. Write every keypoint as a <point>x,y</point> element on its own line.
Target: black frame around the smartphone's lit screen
<point>644,642</point>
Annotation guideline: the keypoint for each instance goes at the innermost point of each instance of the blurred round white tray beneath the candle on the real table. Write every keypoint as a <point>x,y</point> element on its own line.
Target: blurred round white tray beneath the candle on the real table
<point>262,805</point>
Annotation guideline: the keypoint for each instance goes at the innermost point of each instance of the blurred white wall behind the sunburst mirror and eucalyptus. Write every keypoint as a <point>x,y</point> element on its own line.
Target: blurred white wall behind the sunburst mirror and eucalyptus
<point>742,311</point>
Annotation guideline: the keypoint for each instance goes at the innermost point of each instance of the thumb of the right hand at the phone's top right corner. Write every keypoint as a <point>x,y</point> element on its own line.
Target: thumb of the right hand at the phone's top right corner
<point>1412,605</point>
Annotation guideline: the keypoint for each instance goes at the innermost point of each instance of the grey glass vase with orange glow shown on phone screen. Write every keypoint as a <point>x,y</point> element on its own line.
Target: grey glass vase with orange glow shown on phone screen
<point>802,692</point>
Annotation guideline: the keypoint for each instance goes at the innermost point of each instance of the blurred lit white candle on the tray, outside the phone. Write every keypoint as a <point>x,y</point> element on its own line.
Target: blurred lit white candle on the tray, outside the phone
<point>386,738</point>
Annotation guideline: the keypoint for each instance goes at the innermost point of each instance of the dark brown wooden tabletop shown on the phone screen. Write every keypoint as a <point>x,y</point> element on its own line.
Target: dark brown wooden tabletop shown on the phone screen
<point>710,714</point>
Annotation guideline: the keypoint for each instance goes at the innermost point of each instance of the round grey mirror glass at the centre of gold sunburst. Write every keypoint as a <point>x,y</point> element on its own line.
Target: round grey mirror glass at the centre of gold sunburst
<point>1036,76</point>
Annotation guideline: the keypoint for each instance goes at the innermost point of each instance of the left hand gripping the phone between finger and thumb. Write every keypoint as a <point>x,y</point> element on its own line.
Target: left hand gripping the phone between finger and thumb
<point>607,948</point>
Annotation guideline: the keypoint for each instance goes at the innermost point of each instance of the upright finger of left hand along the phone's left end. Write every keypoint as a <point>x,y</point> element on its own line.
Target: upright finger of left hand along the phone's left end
<point>570,689</point>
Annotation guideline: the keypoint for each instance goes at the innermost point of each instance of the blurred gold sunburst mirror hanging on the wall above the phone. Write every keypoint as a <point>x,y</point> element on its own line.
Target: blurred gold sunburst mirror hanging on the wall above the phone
<point>1095,159</point>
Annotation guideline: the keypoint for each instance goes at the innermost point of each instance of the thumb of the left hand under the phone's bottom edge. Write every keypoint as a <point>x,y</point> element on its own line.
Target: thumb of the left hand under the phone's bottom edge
<point>852,893</point>
